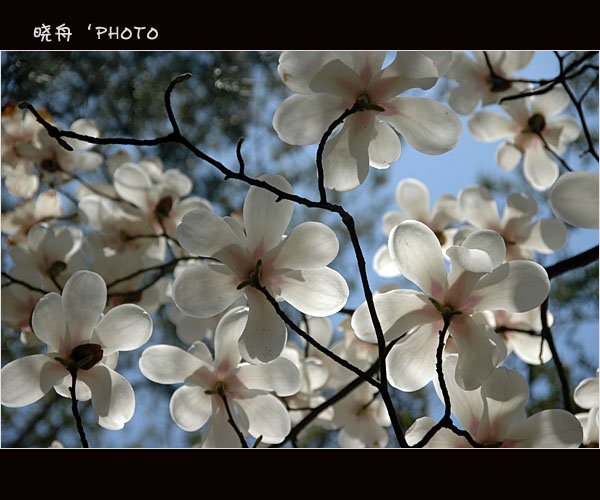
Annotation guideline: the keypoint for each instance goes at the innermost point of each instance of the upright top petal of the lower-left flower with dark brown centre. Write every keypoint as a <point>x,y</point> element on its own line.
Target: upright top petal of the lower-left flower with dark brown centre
<point>83,300</point>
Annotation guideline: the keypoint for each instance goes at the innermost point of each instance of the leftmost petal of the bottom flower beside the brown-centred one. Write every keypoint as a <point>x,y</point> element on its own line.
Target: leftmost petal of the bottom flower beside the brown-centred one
<point>166,364</point>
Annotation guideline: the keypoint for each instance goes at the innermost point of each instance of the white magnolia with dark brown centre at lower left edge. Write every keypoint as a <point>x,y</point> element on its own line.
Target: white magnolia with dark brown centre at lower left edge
<point>75,329</point>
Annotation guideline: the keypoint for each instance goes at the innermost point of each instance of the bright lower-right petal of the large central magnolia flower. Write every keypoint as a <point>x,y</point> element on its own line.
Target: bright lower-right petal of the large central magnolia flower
<point>317,292</point>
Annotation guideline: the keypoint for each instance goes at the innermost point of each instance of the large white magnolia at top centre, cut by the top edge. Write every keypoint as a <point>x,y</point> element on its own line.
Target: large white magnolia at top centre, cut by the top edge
<point>326,84</point>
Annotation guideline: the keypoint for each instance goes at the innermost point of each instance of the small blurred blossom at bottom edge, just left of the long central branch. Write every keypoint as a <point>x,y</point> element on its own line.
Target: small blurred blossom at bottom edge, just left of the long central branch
<point>362,418</point>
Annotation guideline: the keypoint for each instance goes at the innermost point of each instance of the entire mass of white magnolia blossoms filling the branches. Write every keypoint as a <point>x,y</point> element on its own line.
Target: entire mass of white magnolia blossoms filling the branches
<point>227,281</point>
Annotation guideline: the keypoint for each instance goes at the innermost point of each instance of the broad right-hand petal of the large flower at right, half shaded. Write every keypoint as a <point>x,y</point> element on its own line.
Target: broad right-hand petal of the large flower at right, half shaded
<point>516,286</point>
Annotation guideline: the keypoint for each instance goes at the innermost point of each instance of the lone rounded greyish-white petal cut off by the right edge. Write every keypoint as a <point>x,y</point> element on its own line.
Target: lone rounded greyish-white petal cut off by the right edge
<point>574,199</point>
